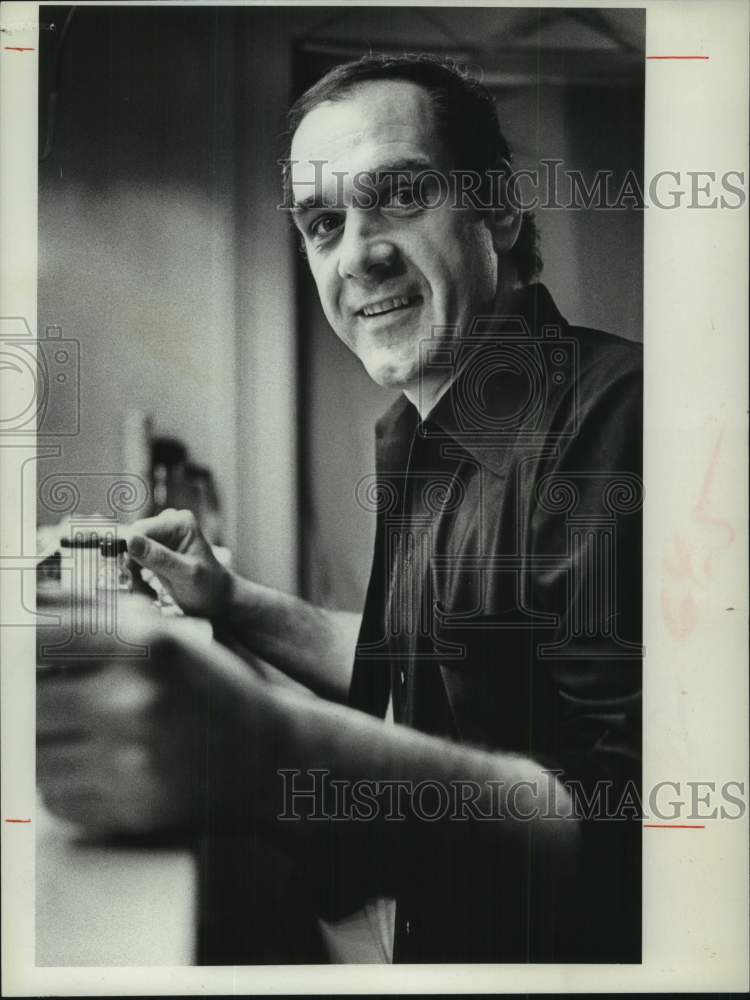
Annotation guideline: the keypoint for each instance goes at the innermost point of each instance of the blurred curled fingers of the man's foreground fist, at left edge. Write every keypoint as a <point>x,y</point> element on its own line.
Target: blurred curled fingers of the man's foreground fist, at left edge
<point>110,756</point>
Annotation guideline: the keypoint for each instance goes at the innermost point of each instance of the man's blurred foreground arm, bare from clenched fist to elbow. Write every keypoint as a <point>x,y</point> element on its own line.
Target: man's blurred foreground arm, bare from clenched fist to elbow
<point>187,739</point>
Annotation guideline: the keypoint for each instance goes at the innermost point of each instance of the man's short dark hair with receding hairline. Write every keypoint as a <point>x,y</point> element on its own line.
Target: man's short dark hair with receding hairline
<point>465,117</point>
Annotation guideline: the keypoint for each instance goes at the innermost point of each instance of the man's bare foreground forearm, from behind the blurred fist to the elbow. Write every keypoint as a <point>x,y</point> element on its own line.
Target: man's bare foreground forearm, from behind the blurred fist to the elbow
<point>313,758</point>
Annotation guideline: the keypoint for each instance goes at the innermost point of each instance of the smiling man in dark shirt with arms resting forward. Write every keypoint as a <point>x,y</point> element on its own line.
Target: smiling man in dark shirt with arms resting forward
<point>502,620</point>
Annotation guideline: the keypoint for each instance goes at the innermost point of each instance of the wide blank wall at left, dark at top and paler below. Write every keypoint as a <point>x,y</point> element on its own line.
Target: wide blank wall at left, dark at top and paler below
<point>136,236</point>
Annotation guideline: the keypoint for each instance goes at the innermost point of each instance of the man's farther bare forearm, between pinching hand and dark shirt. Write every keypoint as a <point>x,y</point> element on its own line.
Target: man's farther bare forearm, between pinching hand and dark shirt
<point>312,645</point>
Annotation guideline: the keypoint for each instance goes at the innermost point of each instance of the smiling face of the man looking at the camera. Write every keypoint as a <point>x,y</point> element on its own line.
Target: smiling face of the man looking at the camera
<point>389,273</point>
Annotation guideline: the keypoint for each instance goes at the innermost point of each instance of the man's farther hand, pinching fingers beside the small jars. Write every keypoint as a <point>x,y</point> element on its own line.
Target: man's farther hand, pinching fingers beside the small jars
<point>171,546</point>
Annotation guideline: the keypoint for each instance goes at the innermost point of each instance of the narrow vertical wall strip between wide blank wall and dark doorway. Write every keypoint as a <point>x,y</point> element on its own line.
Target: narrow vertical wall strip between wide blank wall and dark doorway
<point>267,410</point>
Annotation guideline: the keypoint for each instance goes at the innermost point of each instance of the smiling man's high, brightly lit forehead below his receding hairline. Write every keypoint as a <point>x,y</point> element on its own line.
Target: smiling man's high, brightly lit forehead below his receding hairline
<point>376,123</point>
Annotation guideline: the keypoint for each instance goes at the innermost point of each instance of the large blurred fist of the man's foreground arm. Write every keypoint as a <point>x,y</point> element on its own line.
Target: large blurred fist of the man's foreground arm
<point>141,745</point>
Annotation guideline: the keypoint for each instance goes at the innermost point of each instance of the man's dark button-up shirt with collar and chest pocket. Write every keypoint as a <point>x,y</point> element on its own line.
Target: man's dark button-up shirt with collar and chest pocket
<point>504,611</point>
